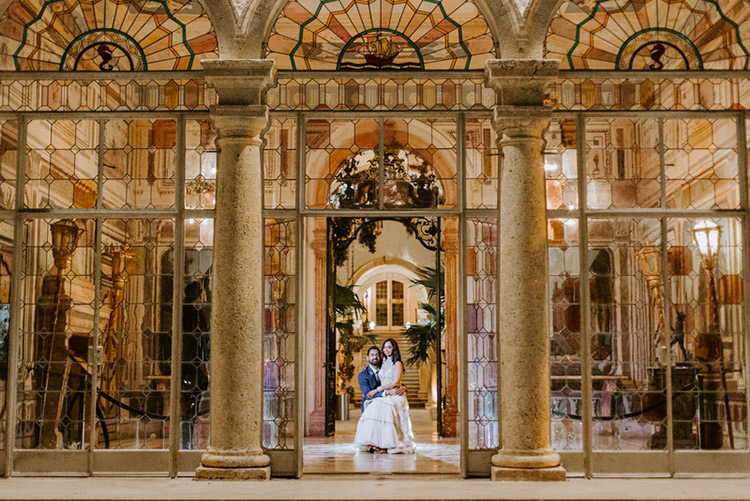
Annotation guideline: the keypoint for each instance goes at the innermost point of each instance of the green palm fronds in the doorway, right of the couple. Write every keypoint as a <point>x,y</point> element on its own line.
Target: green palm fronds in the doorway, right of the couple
<point>422,336</point>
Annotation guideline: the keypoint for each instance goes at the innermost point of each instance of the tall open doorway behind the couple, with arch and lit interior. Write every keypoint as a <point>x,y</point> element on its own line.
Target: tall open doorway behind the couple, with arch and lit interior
<point>381,280</point>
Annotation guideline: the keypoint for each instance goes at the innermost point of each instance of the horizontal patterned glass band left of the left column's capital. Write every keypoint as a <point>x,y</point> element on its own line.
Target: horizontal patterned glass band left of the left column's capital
<point>105,95</point>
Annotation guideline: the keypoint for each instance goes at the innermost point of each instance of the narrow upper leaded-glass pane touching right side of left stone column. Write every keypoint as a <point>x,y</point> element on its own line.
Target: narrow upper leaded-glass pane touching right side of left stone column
<point>280,165</point>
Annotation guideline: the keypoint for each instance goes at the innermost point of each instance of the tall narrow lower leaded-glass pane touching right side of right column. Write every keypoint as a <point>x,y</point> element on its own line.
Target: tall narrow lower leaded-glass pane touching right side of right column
<point>565,340</point>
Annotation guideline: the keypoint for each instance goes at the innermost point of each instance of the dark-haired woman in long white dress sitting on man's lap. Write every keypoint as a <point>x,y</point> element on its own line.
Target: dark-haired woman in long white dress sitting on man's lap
<point>385,422</point>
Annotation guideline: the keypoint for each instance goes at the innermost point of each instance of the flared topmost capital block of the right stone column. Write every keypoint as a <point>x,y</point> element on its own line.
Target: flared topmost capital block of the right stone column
<point>520,82</point>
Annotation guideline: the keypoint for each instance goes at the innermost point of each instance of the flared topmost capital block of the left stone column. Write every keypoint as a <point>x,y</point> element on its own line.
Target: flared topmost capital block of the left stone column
<point>240,81</point>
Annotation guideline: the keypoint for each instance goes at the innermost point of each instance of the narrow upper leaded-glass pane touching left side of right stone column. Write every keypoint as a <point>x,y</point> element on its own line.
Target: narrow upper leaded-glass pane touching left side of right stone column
<point>481,164</point>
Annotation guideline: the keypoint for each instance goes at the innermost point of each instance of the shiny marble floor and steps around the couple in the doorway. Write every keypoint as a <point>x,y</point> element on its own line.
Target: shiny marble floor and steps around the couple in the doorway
<point>337,455</point>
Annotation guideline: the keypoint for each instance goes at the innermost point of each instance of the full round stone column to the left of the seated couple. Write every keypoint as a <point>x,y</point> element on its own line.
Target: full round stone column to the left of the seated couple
<point>235,451</point>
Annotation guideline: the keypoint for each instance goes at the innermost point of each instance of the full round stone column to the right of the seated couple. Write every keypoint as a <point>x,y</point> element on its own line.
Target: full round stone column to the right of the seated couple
<point>524,374</point>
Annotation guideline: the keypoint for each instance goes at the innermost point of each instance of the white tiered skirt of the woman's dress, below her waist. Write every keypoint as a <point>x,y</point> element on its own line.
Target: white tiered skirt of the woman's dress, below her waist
<point>385,424</point>
